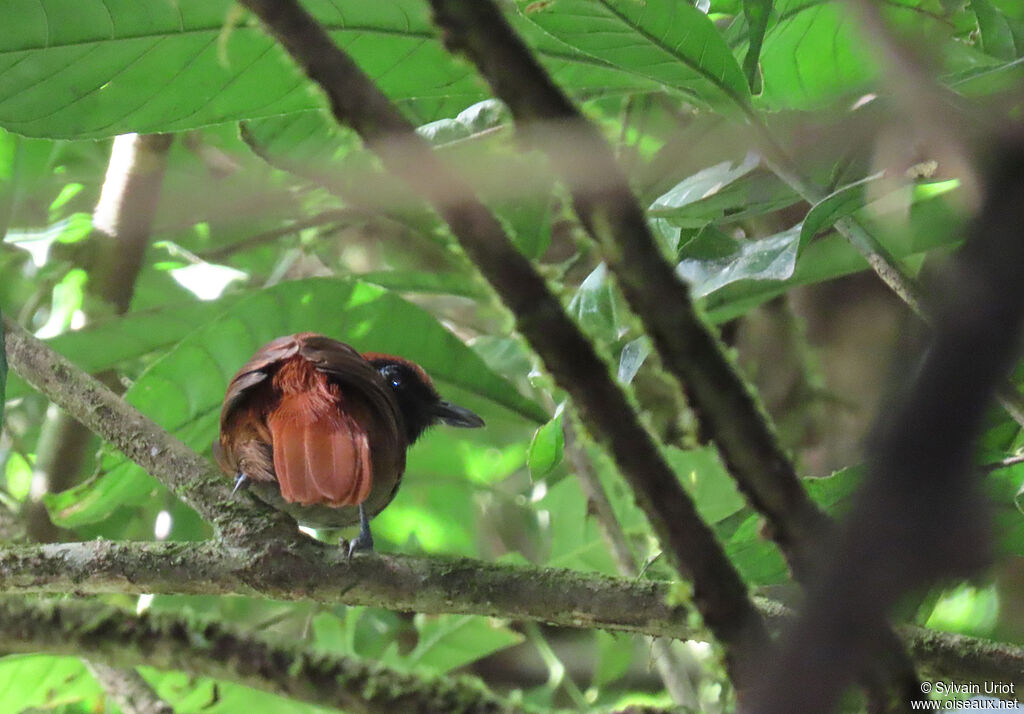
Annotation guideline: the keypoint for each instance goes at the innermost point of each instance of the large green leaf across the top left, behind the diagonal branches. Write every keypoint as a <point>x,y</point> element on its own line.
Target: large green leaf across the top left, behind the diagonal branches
<point>97,69</point>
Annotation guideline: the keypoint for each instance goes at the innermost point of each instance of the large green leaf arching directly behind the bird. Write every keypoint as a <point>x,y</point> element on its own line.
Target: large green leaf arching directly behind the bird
<point>183,391</point>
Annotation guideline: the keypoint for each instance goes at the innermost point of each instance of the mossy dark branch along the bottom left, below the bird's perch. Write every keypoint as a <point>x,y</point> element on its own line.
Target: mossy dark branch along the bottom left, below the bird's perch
<point>117,639</point>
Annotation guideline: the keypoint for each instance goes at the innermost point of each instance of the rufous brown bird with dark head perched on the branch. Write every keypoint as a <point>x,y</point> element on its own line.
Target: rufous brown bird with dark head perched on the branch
<point>321,432</point>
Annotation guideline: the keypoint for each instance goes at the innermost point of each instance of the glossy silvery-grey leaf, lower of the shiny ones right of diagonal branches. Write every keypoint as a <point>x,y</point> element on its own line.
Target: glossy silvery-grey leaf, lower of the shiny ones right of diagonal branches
<point>773,259</point>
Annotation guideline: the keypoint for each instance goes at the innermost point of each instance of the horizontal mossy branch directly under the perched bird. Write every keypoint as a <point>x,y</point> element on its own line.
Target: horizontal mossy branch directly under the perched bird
<point>312,571</point>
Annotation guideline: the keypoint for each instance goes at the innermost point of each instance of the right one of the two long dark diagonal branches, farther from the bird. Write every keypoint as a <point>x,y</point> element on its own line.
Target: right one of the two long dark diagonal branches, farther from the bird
<point>724,406</point>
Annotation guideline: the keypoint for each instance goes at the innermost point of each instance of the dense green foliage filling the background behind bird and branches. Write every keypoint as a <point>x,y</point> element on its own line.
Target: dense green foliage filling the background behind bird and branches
<point>749,130</point>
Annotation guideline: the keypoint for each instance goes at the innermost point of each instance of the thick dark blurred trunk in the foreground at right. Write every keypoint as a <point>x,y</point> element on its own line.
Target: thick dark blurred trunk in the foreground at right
<point>919,518</point>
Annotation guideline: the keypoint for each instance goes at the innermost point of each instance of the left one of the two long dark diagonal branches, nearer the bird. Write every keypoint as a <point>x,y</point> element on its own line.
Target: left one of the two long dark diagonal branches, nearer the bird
<point>719,593</point>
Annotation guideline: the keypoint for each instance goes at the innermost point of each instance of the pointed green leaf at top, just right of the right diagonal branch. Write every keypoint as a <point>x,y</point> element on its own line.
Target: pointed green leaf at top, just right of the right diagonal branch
<point>673,44</point>
